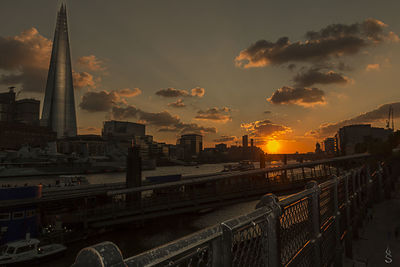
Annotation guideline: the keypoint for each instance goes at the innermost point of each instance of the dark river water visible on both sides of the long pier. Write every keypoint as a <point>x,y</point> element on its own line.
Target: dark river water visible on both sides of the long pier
<point>132,240</point>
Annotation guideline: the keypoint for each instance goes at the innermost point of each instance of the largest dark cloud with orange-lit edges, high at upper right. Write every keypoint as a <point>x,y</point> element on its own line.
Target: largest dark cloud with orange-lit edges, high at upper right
<point>334,40</point>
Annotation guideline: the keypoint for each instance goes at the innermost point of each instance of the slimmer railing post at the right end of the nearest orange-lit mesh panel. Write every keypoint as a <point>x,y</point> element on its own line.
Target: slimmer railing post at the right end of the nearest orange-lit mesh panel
<point>316,235</point>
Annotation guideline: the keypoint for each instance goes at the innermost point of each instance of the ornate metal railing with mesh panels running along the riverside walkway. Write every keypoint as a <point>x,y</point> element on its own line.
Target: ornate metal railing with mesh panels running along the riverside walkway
<point>311,228</point>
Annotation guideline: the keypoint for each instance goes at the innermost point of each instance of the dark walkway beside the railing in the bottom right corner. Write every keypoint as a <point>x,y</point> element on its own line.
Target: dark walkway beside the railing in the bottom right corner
<point>380,232</point>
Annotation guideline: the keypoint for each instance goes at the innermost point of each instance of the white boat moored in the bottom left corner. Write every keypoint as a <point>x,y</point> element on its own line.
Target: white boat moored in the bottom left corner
<point>28,251</point>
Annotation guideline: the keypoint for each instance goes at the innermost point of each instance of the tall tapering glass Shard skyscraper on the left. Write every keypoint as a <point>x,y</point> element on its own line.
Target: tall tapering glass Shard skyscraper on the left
<point>59,104</point>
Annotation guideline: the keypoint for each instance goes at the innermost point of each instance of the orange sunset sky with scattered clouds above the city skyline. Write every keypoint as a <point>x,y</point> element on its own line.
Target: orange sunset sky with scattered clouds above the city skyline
<point>286,72</point>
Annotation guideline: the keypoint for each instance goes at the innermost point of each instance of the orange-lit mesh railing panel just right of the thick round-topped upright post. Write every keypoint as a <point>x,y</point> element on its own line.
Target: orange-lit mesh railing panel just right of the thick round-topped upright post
<point>295,228</point>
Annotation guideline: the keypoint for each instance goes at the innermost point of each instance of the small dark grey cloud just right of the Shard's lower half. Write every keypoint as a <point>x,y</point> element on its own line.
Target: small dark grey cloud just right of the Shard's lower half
<point>98,101</point>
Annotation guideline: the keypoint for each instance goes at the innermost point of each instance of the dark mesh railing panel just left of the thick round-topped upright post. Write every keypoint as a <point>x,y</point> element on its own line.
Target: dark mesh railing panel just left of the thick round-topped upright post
<point>249,244</point>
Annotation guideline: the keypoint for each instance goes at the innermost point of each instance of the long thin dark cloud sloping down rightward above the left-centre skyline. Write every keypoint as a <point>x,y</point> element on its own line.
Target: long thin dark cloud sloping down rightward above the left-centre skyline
<point>164,120</point>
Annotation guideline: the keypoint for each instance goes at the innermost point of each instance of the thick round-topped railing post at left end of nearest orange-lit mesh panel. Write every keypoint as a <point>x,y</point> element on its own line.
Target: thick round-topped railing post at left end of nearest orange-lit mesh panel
<point>273,238</point>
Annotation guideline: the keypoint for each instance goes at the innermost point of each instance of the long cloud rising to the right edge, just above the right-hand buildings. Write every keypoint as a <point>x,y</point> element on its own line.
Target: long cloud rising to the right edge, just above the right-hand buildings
<point>378,114</point>
